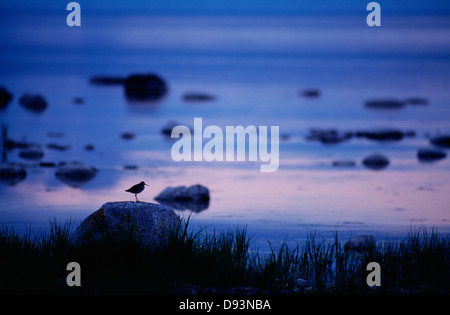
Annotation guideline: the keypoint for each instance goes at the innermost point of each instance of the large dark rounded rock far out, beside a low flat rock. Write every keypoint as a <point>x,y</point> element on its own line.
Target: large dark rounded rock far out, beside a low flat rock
<point>144,87</point>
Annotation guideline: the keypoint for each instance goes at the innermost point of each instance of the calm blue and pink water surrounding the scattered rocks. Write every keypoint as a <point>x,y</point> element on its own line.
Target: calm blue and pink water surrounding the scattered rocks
<point>255,66</point>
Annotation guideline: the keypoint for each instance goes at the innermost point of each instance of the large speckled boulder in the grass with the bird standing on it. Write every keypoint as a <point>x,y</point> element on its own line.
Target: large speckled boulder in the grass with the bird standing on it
<point>149,223</point>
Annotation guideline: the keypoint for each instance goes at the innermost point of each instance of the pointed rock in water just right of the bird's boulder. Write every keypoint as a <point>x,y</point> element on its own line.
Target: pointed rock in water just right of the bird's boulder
<point>195,198</point>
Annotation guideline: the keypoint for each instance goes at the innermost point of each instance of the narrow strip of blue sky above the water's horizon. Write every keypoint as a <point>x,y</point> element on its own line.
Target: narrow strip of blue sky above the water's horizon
<point>236,6</point>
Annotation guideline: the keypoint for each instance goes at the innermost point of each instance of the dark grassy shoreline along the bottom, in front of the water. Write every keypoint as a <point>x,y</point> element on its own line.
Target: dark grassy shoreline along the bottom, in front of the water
<point>222,264</point>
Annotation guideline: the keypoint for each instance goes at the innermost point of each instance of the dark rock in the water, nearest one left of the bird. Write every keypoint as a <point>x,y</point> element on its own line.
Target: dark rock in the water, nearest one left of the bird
<point>75,174</point>
